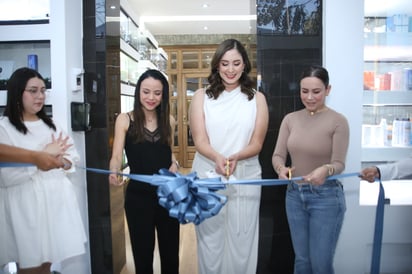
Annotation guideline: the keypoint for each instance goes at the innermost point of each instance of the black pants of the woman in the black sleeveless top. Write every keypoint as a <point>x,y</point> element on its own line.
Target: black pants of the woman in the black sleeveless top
<point>144,215</point>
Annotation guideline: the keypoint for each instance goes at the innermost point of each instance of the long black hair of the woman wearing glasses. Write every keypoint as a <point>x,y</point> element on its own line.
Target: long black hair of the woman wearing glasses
<point>14,107</point>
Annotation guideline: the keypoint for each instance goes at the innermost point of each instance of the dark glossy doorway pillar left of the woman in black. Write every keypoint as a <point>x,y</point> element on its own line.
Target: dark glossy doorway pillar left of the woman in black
<point>101,51</point>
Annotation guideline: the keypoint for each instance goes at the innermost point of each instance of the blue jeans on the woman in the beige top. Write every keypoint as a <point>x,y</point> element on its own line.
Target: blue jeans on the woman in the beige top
<point>315,215</point>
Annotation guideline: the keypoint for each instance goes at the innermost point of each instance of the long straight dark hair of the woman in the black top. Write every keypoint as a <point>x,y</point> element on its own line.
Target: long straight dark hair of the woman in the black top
<point>162,110</point>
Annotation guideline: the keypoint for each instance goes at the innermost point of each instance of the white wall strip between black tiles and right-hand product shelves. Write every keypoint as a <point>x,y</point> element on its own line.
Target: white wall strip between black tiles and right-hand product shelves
<point>343,55</point>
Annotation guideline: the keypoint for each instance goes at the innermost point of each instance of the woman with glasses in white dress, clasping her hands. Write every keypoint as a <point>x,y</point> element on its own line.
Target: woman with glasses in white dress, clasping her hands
<point>40,220</point>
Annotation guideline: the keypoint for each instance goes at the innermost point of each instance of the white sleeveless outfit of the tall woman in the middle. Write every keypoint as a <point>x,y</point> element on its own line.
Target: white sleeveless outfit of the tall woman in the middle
<point>228,242</point>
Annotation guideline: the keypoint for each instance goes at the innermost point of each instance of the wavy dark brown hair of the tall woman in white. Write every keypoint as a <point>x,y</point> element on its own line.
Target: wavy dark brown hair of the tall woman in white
<point>216,84</point>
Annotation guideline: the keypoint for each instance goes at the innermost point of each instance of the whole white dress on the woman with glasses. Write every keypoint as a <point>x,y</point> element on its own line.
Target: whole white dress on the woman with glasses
<point>40,218</point>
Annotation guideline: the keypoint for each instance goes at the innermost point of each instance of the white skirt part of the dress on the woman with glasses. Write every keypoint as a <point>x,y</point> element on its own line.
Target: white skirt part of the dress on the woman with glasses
<point>40,221</point>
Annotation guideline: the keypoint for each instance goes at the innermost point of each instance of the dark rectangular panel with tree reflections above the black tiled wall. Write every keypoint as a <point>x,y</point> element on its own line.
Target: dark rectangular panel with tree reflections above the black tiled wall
<point>298,17</point>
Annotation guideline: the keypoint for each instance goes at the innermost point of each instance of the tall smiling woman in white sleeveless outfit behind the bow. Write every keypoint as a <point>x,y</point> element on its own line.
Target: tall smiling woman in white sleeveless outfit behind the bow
<point>229,121</point>
